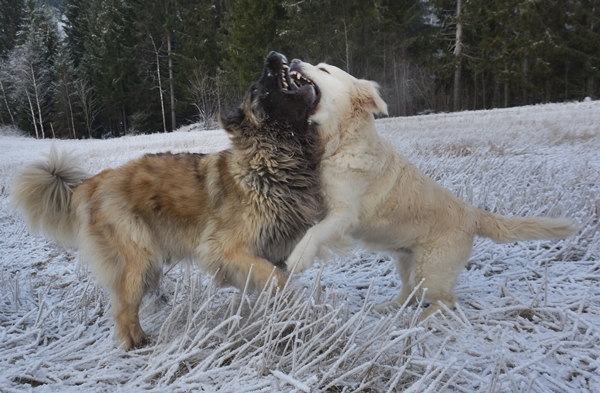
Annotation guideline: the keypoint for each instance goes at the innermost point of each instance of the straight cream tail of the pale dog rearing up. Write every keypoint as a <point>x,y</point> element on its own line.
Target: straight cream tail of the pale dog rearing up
<point>503,229</point>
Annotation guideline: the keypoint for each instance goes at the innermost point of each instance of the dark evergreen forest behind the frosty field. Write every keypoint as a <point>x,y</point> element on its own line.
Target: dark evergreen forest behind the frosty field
<point>105,68</point>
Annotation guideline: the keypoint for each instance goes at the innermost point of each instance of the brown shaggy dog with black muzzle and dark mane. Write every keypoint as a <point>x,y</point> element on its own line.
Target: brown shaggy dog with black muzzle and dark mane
<point>236,212</point>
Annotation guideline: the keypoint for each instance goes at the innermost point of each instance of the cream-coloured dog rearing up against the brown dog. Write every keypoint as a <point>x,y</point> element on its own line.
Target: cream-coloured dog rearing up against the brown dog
<point>377,196</point>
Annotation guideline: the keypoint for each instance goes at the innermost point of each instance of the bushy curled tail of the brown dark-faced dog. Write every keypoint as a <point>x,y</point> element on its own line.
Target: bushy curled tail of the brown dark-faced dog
<point>42,191</point>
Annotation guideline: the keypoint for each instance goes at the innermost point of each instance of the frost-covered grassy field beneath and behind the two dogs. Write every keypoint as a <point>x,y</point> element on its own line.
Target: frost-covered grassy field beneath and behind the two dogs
<point>528,314</point>
